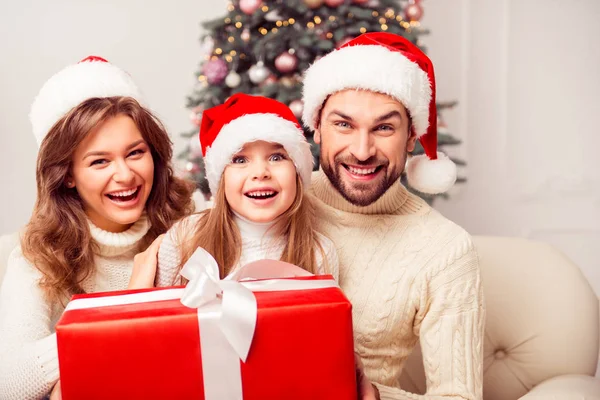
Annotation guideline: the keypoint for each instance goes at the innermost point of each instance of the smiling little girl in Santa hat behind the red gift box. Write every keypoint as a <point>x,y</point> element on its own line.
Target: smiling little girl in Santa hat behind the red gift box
<point>258,165</point>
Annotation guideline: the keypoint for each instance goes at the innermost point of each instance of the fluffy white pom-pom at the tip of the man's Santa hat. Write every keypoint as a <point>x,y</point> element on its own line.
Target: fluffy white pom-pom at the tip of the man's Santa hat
<point>431,176</point>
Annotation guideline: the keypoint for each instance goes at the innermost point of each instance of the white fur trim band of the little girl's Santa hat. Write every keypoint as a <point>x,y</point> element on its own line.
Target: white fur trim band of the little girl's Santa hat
<point>251,128</point>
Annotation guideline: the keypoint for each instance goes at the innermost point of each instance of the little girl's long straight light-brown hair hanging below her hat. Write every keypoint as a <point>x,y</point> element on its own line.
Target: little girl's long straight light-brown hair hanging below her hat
<point>217,233</point>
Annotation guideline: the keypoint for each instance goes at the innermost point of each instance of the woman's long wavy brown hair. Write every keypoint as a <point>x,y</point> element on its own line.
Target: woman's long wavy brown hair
<point>57,239</point>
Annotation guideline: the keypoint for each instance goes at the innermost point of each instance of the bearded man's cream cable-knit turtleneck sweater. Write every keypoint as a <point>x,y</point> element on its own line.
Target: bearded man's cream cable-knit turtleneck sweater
<point>410,274</point>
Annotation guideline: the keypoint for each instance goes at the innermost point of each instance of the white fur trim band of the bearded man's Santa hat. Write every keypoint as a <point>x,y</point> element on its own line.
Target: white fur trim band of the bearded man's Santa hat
<point>368,67</point>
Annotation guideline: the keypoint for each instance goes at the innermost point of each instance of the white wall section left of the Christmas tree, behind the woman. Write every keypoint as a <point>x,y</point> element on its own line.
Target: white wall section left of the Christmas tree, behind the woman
<point>155,41</point>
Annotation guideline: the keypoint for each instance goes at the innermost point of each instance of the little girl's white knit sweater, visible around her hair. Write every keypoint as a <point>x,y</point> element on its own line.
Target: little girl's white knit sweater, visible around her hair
<point>258,243</point>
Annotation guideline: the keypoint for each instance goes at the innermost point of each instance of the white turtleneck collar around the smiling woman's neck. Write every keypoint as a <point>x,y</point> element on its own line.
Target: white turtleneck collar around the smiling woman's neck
<point>114,244</point>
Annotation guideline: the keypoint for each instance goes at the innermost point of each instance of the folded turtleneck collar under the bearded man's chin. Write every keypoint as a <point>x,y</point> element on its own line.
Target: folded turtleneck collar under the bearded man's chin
<point>397,200</point>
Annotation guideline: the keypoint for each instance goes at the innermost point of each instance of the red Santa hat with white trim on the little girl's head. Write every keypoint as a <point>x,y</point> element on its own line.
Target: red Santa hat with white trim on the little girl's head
<point>242,119</point>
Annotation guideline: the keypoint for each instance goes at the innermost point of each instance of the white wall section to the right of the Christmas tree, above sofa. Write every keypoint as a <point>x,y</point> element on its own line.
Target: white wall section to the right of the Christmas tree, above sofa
<point>526,74</point>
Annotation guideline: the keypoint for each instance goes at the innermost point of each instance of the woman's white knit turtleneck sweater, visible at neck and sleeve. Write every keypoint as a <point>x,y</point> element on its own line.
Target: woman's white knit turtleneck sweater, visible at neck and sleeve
<point>28,349</point>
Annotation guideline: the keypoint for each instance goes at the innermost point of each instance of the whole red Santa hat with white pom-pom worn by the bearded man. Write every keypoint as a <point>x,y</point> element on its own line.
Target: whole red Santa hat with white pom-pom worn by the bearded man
<point>389,64</point>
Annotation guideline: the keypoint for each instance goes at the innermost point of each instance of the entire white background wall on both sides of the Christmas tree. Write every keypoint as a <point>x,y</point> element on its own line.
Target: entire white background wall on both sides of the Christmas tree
<point>525,73</point>
